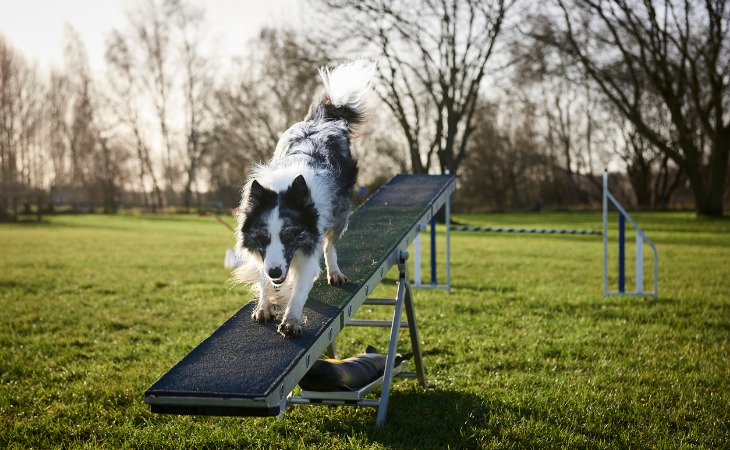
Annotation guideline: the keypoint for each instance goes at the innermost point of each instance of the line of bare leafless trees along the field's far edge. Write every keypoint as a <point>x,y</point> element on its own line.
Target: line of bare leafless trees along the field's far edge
<point>526,105</point>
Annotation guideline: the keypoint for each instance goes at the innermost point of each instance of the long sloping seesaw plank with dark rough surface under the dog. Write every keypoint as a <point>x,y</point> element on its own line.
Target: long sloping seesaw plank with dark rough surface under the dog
<point>245,368</point>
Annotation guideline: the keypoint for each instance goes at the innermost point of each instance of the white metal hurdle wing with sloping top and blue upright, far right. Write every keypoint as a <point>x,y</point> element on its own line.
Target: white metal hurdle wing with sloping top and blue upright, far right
<point>641,238</point>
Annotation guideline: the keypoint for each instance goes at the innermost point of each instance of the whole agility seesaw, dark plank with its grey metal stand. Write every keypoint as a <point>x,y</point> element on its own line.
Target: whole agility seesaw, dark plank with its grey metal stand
<point>248,369</point>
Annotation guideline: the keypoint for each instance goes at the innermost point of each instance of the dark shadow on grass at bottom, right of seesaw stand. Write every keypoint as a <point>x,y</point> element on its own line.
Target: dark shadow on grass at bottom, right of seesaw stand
<point>454,419</point>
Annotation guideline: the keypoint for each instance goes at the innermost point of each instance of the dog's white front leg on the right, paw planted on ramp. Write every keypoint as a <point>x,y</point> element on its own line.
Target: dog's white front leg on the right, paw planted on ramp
<point>305,273</point>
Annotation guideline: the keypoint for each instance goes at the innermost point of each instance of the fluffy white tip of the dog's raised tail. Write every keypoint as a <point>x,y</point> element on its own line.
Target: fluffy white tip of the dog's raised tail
<point>348,85</point>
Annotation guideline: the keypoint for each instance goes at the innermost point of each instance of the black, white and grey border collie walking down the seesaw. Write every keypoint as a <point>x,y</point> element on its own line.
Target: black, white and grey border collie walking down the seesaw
<point>295,208</point>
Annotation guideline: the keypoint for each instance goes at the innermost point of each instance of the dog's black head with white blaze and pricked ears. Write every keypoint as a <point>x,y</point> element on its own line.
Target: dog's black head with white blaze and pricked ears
<point>279,224</point>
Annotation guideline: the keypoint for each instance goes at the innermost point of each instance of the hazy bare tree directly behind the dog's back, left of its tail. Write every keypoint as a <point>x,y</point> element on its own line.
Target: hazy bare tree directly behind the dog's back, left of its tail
<point>273,89</point>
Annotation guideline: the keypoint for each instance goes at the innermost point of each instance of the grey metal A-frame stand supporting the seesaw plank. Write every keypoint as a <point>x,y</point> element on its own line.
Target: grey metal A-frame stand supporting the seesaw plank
<point>356,398</point>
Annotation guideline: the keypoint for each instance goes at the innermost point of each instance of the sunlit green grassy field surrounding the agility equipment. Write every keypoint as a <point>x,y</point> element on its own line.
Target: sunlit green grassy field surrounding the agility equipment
<point>523,352</point>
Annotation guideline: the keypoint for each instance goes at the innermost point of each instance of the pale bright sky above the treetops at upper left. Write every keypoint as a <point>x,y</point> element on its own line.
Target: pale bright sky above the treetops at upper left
<point>36,27</point>
